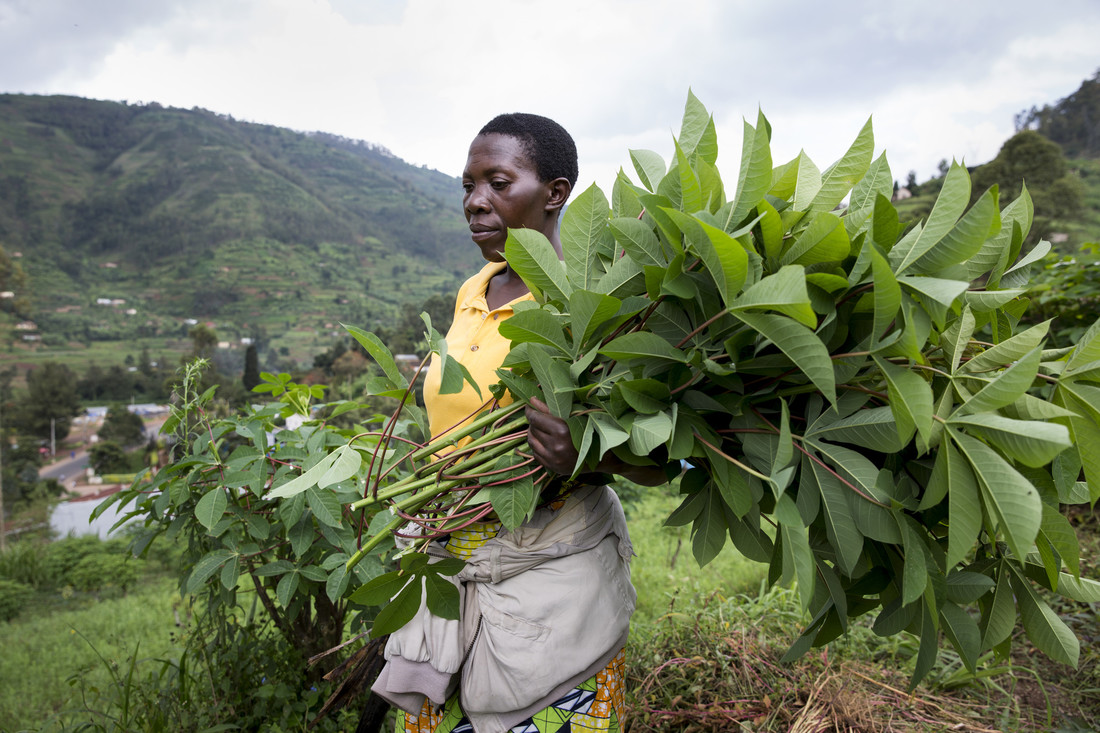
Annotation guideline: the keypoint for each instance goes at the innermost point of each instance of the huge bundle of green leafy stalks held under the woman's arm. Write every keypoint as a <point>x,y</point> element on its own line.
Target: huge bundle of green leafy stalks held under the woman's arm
<point>859,402</point>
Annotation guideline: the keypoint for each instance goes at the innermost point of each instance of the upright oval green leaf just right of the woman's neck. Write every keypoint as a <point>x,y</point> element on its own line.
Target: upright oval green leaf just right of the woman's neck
<point>587,242</point>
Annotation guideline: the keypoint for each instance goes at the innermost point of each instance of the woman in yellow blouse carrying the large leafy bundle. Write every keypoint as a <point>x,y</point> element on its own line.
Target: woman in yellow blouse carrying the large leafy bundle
<point>546,607</point>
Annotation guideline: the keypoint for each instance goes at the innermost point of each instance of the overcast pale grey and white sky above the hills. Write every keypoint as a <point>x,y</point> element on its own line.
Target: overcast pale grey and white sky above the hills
<point>942,79</point>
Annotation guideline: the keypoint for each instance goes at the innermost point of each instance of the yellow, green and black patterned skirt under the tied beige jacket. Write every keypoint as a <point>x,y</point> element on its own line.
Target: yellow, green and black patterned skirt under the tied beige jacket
<point>596,705</point>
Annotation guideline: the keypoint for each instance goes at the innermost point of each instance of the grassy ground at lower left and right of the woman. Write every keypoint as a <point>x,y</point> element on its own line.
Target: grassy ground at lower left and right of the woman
<point>705,654</point>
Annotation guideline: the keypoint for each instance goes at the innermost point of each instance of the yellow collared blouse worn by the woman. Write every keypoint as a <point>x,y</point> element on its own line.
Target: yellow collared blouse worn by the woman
<point>476,342</point>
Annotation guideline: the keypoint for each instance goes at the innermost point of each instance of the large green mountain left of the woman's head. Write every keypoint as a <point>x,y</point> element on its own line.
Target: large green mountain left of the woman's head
<point>130,221</point>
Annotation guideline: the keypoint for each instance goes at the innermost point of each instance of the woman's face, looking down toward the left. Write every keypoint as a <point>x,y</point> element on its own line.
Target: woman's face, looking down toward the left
<point>502,192</point>
